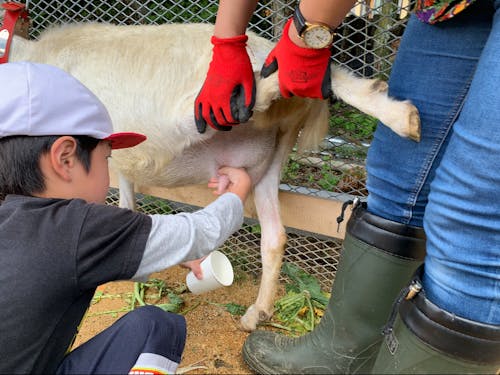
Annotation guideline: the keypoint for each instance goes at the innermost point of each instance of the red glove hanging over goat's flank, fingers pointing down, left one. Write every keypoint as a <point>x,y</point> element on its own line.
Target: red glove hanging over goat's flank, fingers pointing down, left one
<point>228,94</point>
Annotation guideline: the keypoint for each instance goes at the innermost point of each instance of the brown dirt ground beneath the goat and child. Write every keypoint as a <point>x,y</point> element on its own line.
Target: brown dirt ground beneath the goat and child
<point>214,339</point>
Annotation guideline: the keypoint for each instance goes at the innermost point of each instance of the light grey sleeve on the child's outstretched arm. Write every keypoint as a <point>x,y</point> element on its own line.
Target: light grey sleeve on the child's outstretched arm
<point>186,236</point>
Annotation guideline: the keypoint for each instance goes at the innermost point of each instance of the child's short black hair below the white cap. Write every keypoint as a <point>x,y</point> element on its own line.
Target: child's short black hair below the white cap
<point>20,171</point>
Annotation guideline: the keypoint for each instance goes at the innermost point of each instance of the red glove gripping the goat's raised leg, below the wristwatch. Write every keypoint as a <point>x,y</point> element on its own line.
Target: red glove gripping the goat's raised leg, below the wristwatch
<point>302,72</point>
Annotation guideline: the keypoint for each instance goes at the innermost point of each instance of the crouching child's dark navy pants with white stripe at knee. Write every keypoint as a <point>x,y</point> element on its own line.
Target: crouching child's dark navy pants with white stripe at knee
<point>147,337</point>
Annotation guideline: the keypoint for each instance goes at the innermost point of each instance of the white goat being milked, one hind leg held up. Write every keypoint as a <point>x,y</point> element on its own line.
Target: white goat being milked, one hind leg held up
<point>148,78</point>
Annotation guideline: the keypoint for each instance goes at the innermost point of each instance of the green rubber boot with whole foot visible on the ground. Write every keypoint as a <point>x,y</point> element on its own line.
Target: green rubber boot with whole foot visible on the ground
<point>379,257</point>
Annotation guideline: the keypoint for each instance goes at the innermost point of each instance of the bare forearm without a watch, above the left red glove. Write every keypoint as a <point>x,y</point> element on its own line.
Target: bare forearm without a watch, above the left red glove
<point>233,17</point>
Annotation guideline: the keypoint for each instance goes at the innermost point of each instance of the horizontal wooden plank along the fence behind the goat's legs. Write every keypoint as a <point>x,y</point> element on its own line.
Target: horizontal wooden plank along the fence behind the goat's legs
<point>304,212</point>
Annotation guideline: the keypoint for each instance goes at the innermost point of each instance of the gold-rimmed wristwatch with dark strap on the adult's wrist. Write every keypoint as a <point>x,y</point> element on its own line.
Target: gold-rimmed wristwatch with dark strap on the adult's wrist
<point>314,35</point>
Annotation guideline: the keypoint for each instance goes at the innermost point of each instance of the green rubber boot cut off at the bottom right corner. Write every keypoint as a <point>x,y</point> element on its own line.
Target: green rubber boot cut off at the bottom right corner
<point>424,339</point>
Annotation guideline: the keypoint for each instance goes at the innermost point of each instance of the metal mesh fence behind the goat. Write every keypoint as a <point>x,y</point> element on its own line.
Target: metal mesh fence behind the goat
<point>366,43</point>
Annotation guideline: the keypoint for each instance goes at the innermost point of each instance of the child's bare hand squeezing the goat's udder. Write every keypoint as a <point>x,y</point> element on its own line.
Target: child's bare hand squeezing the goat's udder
<point>234,180</point>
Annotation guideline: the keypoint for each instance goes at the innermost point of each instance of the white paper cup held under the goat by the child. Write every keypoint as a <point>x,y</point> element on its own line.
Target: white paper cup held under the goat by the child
<point>217,271</point>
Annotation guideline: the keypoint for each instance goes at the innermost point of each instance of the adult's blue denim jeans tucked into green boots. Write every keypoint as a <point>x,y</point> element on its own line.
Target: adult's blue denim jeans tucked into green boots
<point>449,183</point>
